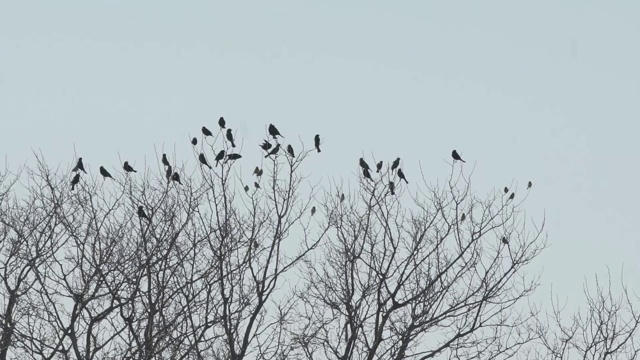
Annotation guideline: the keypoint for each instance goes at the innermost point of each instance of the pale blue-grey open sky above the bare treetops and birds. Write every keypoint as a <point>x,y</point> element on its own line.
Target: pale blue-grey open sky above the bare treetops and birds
<point>545,91</point>
